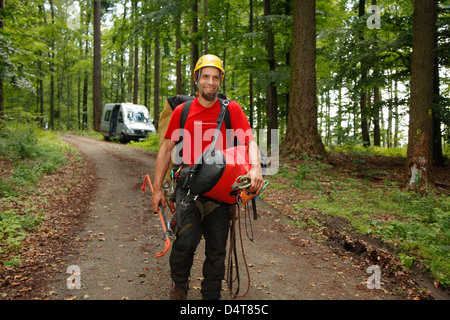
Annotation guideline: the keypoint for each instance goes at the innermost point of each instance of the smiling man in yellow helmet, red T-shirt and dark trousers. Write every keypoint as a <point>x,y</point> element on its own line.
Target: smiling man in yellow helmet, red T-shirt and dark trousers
<point>192,222</point>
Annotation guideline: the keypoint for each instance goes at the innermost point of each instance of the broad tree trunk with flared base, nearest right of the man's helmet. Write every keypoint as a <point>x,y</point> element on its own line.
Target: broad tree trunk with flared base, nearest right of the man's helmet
<point>301,131</point>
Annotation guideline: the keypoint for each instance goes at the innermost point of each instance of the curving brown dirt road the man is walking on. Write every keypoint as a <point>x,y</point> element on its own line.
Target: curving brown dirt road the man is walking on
<point>118,260</point>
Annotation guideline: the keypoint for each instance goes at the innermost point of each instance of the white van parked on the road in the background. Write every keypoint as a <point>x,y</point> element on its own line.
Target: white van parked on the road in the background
<point>126,121</point>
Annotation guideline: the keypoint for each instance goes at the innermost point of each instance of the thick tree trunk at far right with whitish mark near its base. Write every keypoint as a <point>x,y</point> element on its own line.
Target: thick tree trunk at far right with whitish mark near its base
<point>420,135</point>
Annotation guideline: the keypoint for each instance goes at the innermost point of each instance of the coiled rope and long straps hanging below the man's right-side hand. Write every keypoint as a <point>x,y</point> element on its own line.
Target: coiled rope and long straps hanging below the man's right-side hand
<point>240,188</point>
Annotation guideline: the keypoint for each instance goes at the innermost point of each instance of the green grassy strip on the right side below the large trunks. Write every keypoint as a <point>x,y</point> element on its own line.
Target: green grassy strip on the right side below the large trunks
<point>418,226</point>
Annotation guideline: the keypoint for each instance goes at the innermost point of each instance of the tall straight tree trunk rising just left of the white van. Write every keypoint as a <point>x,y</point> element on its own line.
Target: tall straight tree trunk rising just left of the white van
<point>97,73</point>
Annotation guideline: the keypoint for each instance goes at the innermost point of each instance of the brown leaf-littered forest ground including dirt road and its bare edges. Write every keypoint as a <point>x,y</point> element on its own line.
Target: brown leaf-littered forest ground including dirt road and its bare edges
<point>99,220</point>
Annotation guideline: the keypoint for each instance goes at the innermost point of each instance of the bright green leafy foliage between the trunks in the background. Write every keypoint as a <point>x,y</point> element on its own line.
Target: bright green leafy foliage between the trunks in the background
<point>37,42</point>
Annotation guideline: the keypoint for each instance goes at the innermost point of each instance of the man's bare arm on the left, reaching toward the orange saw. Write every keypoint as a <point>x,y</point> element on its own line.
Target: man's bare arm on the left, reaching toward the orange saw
<point>161,166</point>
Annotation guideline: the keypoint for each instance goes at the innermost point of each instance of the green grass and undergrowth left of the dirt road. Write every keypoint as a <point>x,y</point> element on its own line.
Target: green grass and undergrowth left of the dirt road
<point>28,154</point>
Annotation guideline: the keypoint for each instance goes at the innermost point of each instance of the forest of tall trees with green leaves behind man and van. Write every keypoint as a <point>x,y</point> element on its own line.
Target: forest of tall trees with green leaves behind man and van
<point>340,75</point>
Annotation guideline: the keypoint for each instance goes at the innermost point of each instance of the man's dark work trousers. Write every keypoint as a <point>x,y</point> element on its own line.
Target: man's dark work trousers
<point>191,225</point>
